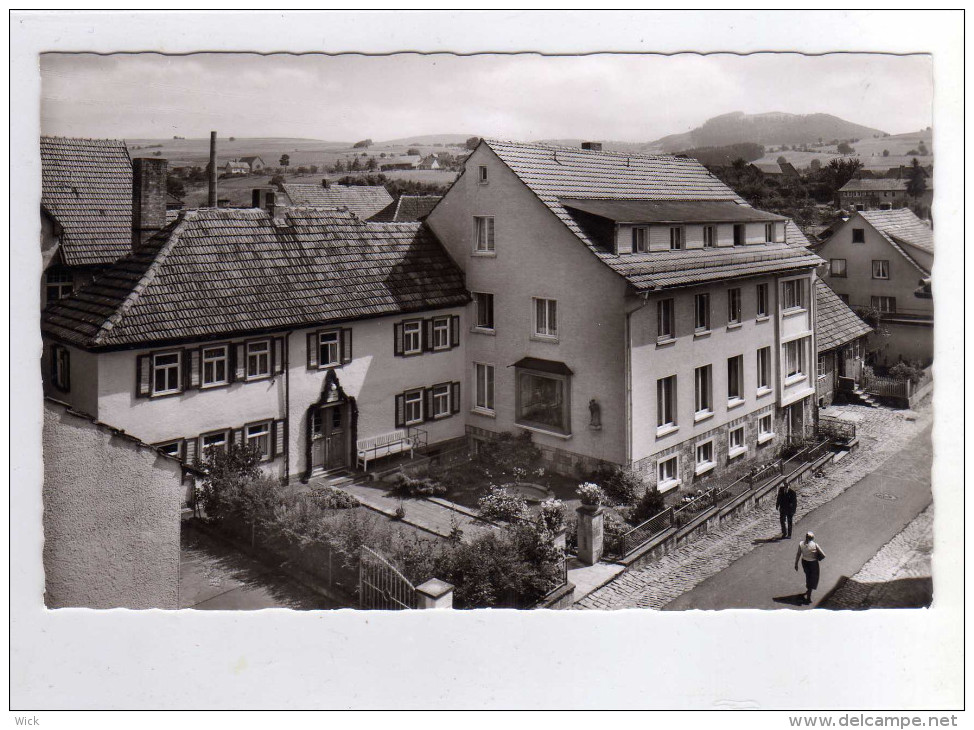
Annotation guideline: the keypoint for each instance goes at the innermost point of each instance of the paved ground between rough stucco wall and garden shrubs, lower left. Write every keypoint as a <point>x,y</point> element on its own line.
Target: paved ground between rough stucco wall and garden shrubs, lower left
<point>215,576</point>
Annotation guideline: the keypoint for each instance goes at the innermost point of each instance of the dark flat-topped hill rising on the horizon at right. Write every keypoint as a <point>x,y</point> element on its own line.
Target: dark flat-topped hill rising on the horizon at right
<point>773,128</point>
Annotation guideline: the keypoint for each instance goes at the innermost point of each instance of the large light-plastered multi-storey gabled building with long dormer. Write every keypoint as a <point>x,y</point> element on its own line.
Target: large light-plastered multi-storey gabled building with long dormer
<point>631,309</point>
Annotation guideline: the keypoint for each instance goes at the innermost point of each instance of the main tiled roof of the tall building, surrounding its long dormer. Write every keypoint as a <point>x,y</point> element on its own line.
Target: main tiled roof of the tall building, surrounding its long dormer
<point>554,173</point>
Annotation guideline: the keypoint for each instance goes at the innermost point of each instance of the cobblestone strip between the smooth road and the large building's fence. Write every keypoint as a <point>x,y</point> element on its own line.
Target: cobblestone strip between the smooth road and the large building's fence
<point>882,433</point>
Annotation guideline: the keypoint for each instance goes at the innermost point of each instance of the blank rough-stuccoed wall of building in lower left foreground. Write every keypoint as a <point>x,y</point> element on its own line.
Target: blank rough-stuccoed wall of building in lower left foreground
<point>111,515</point>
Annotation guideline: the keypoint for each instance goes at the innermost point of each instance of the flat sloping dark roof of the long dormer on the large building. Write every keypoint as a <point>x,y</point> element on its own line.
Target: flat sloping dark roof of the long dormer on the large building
<point>669,211</point>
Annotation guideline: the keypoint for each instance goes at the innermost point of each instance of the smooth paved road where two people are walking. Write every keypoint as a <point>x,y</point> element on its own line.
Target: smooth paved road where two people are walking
<point>851,529</point>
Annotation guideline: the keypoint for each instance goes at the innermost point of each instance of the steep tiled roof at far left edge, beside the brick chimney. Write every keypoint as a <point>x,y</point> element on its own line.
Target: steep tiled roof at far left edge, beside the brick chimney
<point>86,186</point>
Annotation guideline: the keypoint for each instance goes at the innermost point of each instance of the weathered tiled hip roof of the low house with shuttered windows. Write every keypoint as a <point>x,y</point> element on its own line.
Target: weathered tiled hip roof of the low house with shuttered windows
<point>220,272</point>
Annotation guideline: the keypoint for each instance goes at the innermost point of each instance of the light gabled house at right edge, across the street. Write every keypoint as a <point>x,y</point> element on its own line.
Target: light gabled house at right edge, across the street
<point>880,261</point>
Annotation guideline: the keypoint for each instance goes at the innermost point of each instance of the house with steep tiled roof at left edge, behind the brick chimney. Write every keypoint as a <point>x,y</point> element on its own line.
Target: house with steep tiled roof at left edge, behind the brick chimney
<point>86,210</point>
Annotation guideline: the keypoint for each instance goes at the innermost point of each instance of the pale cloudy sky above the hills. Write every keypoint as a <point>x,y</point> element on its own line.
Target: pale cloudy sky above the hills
<point>636,98</point>
